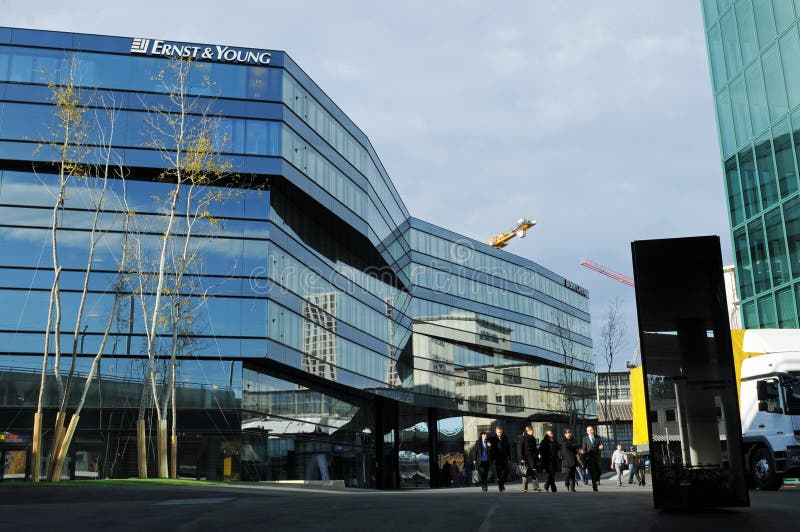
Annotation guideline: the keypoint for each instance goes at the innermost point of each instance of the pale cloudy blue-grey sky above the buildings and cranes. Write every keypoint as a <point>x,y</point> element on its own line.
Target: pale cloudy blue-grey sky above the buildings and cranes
<point>594,118</point>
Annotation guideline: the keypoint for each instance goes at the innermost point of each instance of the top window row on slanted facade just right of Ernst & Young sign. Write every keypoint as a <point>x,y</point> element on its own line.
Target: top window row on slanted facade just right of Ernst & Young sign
<point>313,114</point>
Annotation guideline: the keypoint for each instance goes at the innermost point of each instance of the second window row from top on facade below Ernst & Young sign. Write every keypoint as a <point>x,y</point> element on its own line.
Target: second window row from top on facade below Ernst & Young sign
<point>139,129</point>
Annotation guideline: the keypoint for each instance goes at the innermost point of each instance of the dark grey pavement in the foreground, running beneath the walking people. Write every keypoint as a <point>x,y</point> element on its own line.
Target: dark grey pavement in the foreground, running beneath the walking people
<point>260,507</point>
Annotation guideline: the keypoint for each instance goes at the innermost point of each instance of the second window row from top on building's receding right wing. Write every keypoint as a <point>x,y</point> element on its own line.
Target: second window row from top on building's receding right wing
<point>477,290</point>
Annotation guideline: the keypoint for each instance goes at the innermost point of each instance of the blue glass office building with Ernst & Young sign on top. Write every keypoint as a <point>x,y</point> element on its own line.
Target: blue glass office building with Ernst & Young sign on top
<point>321,333</point>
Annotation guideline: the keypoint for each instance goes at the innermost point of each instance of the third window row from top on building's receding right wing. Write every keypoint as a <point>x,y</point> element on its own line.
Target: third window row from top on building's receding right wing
<point>524,334</point>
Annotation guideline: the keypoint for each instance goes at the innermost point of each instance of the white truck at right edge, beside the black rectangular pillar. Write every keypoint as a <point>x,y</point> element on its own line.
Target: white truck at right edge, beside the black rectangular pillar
<point>770,406</point>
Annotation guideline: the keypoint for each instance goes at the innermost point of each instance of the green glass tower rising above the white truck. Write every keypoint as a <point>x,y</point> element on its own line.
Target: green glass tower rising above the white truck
<point>754,53</point>
